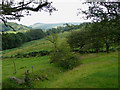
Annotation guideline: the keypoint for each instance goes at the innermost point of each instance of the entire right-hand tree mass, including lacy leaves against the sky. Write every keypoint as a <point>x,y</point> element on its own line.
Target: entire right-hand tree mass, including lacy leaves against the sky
<point>103,32</point>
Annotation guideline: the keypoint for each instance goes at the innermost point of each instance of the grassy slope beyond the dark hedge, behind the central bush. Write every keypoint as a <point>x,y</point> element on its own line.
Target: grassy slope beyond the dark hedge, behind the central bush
<point>32,46</point>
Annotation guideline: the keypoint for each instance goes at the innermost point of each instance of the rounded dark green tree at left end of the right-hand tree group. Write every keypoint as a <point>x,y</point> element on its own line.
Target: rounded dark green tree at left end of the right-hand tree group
<point>80,39</point>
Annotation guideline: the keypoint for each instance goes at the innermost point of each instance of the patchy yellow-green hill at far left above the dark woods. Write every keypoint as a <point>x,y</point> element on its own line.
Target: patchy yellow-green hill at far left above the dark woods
<point>17,27</point>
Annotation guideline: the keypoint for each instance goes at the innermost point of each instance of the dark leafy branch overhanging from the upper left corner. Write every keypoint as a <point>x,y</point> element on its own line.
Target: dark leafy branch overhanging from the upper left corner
<point>9,12</point>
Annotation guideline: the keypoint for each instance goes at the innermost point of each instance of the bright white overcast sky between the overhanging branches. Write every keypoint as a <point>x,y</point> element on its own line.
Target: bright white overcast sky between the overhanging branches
<point>67,12</point>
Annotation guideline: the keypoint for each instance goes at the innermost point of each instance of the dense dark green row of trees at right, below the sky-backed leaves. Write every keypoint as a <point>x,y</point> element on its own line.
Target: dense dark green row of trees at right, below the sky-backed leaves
<point>98,36</point>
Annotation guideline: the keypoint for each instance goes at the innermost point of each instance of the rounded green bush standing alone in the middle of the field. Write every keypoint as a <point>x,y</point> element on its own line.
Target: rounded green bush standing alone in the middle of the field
<point>62,56</point>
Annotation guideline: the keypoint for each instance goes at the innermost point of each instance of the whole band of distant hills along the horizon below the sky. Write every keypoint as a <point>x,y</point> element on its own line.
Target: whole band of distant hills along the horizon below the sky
<point>23,28</point>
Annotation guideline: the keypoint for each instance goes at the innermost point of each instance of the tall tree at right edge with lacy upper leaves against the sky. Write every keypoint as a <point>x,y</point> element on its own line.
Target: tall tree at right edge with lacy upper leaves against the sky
<point>108,14</point>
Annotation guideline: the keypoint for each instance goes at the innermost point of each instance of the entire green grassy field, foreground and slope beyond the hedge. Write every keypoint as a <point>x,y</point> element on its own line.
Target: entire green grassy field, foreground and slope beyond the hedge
<point>96,71</point>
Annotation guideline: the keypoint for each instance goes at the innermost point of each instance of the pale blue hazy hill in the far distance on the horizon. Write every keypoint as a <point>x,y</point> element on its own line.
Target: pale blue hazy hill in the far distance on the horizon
<point>49,26</point>
